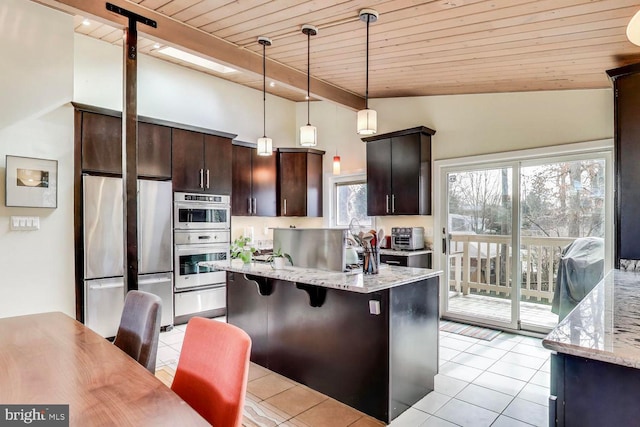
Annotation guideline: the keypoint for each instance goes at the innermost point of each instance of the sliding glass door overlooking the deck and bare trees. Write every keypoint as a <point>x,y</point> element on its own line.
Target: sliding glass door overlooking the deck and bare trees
<point>505,227</point>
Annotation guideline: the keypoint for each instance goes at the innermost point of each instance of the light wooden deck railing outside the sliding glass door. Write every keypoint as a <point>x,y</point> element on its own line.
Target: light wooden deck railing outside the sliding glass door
<point>481,263</point>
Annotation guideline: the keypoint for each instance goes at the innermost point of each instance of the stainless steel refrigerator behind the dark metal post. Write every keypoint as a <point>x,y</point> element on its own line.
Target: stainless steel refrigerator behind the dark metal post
<point>104,288</point>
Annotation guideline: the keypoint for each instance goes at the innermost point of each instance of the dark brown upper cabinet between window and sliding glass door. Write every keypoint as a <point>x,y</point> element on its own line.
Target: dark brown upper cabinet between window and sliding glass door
<point>399,172</point>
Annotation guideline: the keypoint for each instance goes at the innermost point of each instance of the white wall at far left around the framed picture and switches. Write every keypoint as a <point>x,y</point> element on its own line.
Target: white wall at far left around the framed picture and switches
<point>37,47</point>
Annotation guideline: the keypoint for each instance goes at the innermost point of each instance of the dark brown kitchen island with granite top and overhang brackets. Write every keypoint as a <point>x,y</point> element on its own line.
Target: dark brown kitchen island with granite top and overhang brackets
<point>369,341</point>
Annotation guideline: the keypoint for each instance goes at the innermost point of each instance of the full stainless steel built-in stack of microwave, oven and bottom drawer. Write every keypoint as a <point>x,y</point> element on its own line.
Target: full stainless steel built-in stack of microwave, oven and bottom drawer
<point>200,290</point>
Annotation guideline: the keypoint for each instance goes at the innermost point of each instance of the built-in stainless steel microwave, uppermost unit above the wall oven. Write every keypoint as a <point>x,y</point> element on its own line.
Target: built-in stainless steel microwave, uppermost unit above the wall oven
<point>201,211</point>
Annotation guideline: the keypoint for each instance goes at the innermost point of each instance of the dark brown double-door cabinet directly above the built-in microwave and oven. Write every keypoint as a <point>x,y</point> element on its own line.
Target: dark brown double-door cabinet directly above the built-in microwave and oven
<point>201,162</point>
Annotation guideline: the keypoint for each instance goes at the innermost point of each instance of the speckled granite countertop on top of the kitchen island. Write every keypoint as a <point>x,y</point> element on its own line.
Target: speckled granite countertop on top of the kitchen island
<point>388,276</point>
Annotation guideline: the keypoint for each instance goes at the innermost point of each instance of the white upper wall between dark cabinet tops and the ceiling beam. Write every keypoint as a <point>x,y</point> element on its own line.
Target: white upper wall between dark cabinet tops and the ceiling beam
<point>170,92</point>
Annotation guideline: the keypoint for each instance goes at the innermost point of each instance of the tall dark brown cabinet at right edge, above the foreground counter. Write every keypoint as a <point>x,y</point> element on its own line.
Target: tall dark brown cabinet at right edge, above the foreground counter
<point>626,87</point>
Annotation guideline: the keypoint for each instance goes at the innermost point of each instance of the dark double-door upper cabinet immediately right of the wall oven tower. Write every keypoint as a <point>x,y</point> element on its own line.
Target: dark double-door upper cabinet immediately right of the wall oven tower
<point>254,182</point>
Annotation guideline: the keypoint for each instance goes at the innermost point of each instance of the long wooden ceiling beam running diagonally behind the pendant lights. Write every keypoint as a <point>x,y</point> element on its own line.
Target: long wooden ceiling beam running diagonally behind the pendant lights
<point>180,35</point>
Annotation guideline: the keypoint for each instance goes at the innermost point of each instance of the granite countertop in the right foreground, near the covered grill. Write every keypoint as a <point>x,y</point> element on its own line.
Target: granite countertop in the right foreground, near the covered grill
<point>605,325</point>
